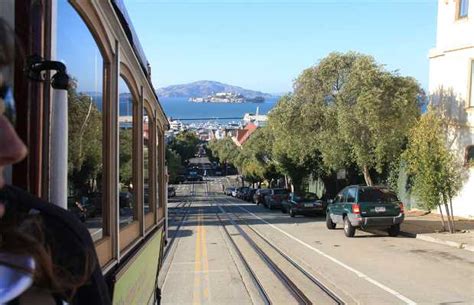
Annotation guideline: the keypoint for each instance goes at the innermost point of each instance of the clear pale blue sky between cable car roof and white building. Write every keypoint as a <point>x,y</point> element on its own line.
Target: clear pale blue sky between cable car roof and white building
<point>264,45</point>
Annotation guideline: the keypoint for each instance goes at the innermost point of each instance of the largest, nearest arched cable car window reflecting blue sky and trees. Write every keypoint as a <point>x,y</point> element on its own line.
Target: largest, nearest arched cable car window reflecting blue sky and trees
<point>78,50</point>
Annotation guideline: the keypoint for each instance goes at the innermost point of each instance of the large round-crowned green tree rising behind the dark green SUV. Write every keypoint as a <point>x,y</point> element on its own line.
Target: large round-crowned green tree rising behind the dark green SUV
<point>354,111</point>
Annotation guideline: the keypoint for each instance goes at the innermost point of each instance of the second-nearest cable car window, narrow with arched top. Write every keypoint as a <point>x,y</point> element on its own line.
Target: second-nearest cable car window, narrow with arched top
<point>127,202</point>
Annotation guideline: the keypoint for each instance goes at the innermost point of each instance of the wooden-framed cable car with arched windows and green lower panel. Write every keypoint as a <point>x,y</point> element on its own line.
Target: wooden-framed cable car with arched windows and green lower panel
<point>96,147</point>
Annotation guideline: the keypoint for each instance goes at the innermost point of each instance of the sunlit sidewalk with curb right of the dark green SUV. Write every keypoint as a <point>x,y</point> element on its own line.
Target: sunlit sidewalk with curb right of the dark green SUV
<point>428,227</point>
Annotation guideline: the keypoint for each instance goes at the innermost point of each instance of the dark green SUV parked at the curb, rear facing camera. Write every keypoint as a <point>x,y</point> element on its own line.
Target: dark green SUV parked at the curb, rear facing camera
<point>362,207</point>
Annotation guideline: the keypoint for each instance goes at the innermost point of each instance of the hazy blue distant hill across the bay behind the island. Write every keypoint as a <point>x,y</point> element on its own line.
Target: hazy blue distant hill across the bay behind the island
<point>204,88</point>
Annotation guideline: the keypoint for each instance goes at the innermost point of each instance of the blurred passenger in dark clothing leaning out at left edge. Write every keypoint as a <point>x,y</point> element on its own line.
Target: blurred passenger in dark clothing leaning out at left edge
<point>46,255</point>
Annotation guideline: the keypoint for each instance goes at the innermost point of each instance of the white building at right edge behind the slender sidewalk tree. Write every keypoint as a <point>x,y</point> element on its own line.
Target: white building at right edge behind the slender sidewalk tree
<point>452,74</point>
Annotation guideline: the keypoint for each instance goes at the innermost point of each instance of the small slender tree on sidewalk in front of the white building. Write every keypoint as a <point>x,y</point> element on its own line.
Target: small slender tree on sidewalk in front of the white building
<point>436,175</point>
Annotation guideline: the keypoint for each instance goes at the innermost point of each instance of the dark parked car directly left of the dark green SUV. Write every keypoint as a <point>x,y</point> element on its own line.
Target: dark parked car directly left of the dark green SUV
<point>303,204</point>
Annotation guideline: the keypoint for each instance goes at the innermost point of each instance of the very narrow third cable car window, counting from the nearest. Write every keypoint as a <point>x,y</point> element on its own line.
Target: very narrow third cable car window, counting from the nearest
<point>146,162</point>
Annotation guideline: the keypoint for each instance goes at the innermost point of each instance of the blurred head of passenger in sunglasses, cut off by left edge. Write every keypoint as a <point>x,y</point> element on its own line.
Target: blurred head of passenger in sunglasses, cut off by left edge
<point>12,149</point>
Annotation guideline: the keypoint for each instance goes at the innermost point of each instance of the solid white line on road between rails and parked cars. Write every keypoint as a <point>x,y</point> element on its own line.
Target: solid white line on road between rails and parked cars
<point>358,273</point>
